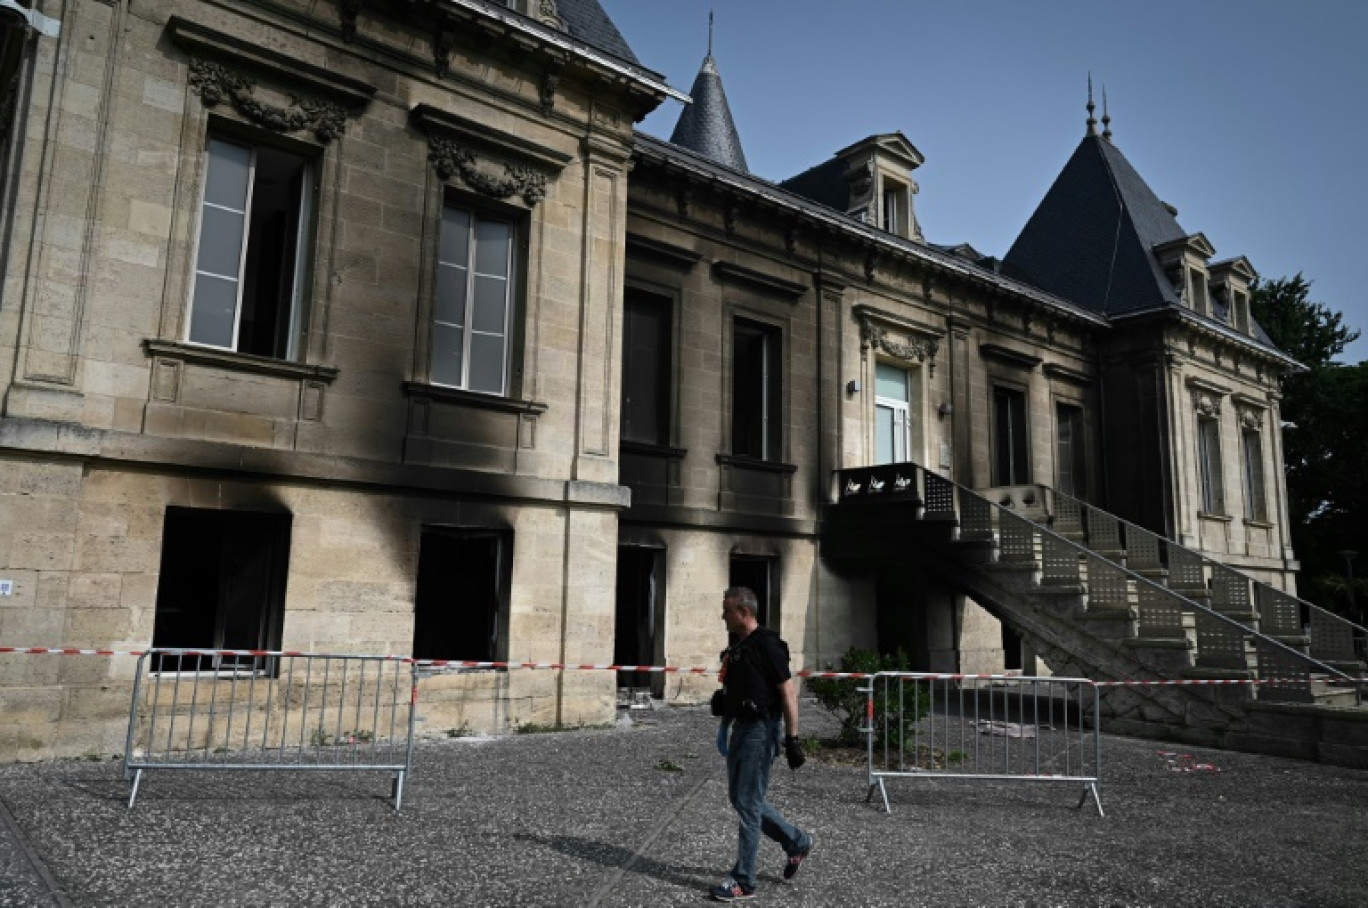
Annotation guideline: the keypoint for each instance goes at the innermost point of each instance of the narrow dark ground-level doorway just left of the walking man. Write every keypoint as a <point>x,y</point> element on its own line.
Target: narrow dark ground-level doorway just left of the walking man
<point>641,611</point>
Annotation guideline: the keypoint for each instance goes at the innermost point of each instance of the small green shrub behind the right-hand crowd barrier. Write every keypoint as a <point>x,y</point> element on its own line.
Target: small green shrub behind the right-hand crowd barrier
<point>845,698</point>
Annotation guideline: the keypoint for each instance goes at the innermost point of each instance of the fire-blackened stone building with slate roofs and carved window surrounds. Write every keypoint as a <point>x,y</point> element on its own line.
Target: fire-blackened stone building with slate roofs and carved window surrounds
<point>376,328</point>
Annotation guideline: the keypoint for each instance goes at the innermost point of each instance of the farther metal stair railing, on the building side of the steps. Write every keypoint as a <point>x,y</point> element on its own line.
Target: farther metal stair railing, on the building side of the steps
<point>1277,613</point>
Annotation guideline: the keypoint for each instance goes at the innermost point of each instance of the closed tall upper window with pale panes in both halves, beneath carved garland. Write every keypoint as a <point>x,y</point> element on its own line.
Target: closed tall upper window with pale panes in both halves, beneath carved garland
<point>471,310</point>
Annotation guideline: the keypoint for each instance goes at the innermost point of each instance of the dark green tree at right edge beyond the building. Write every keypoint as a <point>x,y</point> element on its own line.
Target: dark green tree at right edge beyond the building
<point>1325,414</point>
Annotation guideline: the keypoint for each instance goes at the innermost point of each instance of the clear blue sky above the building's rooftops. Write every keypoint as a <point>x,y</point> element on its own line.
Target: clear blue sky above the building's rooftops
<point>1248,117</point>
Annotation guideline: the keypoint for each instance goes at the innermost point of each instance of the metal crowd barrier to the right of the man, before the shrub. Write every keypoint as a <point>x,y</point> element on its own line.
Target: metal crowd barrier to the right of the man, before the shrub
<point>1009,728</point>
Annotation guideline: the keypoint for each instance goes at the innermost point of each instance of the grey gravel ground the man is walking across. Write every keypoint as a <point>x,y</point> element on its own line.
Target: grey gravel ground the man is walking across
<point>638,816</point>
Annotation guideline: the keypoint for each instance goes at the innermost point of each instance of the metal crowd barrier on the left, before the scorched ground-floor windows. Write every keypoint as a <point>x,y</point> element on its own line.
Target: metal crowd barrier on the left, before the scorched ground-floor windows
<point>251,710</point>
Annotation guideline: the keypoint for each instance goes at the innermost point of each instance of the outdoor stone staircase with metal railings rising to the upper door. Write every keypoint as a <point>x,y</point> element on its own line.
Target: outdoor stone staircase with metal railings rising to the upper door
<point>1101,598</point>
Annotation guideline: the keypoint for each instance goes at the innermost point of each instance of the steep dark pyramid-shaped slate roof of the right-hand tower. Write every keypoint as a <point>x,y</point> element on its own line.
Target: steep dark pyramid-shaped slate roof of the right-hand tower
<point>1092,237</point>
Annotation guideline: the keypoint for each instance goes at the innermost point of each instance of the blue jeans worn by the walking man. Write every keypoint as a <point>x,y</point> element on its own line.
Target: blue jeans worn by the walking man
<point>750,756</point>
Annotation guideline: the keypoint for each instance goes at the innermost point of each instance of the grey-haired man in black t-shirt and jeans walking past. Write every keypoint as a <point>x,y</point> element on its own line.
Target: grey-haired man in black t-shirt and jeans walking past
<point>757,695</point>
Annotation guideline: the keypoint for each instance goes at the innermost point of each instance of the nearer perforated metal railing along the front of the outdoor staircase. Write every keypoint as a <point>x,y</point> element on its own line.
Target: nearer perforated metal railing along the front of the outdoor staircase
<point>1221,641</point>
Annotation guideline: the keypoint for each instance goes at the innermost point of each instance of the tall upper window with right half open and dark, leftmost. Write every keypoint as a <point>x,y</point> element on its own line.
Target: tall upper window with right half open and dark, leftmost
<point>252,261</point>
